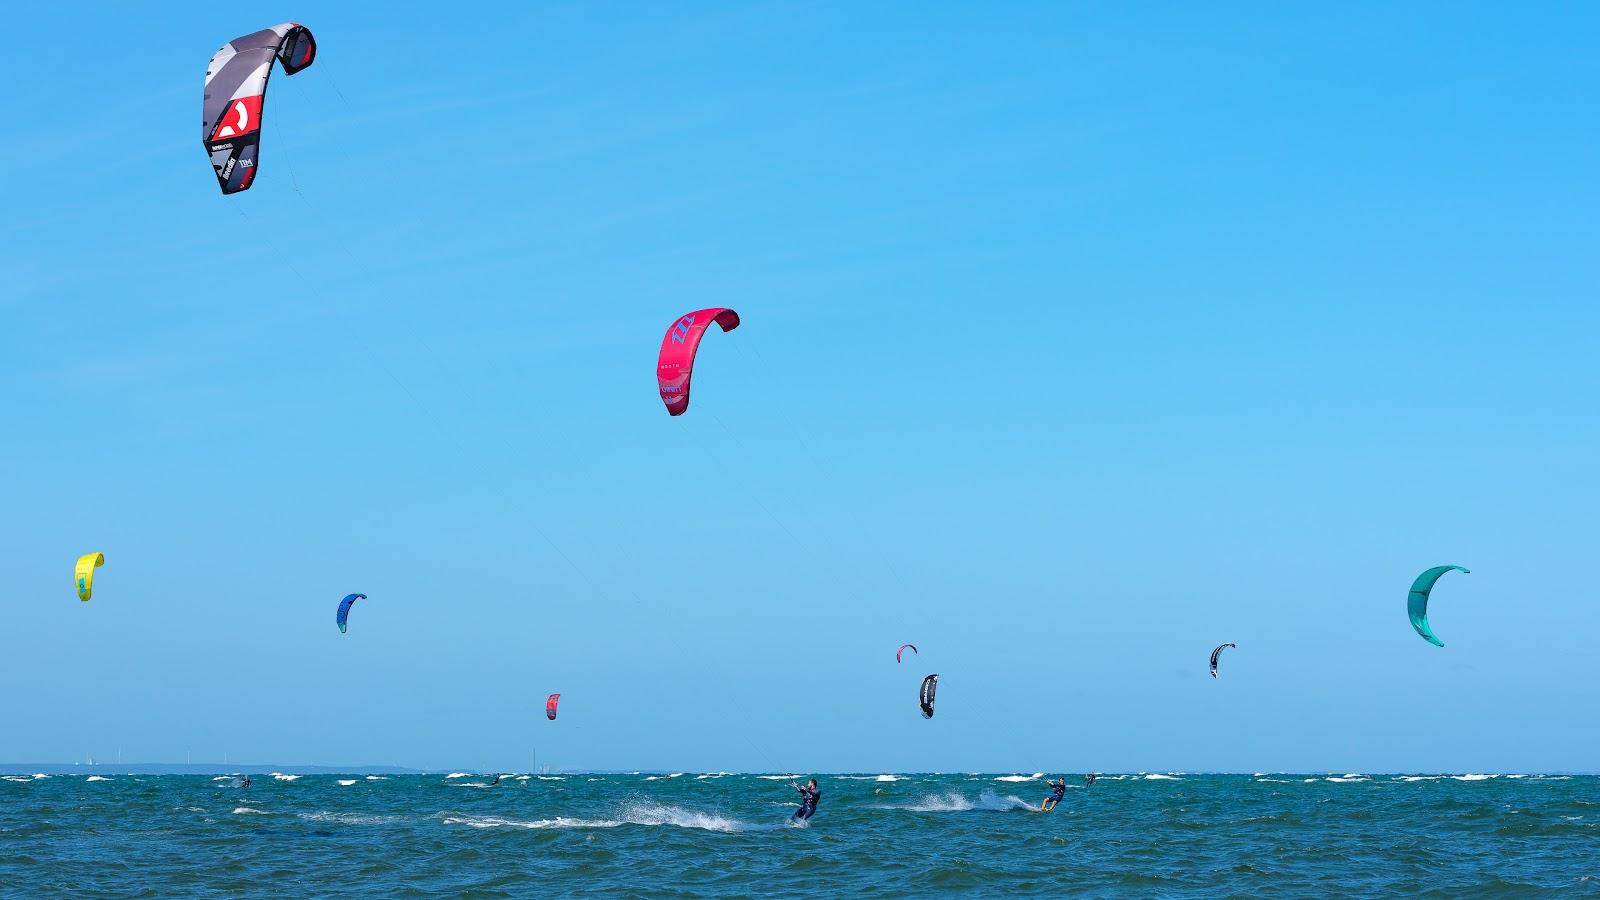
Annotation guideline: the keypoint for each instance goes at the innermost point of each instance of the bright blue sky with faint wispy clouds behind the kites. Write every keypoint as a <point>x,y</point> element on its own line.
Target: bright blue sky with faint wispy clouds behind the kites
<point>1078,339</point>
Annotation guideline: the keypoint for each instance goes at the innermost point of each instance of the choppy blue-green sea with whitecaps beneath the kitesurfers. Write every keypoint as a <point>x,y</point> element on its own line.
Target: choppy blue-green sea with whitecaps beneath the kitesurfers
<point>722,835</point>
